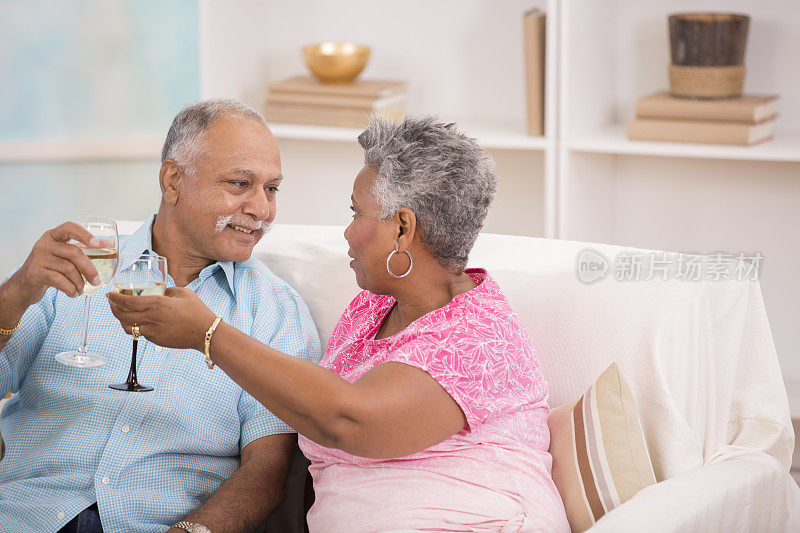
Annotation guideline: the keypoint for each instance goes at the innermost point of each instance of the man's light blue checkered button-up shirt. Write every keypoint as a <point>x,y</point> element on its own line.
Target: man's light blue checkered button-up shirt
<point>151,458</point>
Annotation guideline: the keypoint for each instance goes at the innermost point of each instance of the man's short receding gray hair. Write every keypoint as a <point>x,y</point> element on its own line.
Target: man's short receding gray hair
<point>185,135</point>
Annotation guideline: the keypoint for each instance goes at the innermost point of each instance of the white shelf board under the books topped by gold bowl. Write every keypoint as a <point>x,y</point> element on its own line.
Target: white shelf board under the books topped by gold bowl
<point>489,136</point>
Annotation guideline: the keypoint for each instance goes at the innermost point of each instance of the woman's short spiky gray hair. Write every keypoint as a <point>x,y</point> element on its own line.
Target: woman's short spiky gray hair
<point>442,175</point>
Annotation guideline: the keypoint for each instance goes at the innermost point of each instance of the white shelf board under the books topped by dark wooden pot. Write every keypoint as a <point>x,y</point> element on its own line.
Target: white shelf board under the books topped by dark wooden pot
<point>613,140</point>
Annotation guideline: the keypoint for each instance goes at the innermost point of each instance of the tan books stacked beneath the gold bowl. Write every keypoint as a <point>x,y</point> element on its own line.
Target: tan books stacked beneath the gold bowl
<point>304,100</point>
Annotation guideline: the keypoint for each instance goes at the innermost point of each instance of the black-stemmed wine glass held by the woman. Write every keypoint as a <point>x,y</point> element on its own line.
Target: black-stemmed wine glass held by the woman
<point>147,276</point>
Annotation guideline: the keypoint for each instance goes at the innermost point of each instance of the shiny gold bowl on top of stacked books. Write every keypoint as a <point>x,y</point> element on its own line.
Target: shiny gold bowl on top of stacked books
<point>336,62</point>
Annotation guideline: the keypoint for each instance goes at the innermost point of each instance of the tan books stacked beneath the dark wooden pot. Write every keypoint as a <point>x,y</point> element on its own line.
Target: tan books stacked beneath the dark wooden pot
<point>746,120</point>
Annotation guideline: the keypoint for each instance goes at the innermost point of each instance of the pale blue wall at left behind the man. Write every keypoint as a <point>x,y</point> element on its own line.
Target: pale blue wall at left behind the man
<point>88,70</point>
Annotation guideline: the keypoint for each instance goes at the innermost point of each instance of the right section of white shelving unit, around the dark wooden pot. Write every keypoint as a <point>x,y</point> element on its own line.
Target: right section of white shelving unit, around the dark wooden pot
<point>674,196</point>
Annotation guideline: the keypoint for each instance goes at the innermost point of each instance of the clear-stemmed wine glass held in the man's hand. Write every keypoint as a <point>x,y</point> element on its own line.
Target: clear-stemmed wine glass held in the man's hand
<point>104,258</point>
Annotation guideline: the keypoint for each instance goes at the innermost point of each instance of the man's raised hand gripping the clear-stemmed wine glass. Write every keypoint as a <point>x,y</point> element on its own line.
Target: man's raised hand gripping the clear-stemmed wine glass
<point>54,262</point>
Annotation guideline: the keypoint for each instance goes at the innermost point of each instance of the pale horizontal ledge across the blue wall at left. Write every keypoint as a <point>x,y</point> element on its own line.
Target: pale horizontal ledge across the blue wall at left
<point>83,150</point>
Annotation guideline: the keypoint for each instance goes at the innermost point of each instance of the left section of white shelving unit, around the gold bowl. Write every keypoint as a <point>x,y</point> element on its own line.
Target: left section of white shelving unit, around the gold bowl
<point>481,90</point>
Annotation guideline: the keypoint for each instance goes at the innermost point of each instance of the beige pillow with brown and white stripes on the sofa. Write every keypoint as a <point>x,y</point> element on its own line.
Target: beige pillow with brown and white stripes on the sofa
<point>600,458</point>
